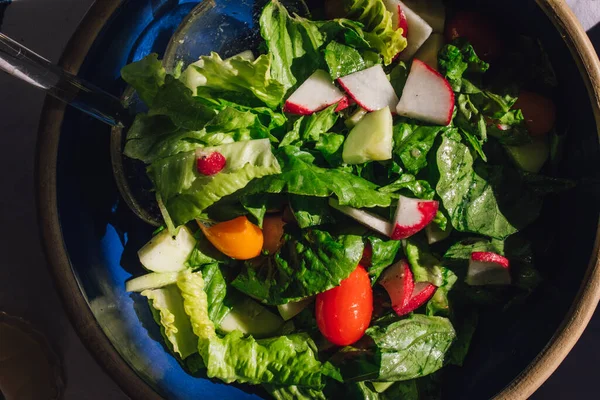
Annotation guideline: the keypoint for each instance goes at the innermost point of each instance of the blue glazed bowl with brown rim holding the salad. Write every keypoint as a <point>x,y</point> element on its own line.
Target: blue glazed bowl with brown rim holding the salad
<point>91,237</point>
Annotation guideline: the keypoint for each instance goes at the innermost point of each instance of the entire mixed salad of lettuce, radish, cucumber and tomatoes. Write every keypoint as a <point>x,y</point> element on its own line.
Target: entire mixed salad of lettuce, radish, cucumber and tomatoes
<point>342,204</point>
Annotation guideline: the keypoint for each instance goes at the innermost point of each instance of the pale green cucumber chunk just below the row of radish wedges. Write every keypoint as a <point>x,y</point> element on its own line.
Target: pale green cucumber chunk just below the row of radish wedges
<point>371,139</point>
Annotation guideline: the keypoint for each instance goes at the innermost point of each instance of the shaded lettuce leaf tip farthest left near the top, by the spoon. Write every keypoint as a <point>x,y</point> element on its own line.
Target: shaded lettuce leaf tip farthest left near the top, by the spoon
<point>145,76</point>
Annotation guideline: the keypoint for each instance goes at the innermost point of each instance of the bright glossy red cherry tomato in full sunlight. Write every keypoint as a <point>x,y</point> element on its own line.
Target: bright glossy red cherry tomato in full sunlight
<point>344,312</point>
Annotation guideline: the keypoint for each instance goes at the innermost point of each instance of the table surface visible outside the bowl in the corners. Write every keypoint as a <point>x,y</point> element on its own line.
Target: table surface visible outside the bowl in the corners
<point>26,289</point>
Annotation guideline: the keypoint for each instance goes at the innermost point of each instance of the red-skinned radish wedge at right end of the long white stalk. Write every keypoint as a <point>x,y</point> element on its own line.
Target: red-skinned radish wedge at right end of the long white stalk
<point>412,215</point>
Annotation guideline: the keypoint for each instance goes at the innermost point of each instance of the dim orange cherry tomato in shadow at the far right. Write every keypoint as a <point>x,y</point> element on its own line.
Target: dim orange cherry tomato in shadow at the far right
<point>539,112</point>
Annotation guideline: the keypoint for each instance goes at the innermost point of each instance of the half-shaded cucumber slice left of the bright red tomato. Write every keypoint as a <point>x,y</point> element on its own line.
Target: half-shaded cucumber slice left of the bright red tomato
<point>249,317</point>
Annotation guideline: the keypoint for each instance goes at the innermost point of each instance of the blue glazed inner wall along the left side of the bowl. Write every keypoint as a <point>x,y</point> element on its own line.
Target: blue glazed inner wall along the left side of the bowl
<point>100,233</point>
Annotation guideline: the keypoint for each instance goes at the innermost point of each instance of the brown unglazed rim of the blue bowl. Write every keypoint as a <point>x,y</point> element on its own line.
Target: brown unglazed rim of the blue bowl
<point>77,307</point>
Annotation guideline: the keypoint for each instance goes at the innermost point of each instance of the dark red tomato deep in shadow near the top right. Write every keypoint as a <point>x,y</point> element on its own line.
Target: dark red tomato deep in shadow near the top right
<point>478,30</point>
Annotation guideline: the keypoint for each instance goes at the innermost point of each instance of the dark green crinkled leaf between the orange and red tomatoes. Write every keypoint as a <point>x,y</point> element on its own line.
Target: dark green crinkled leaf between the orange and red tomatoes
<point>308,263</point>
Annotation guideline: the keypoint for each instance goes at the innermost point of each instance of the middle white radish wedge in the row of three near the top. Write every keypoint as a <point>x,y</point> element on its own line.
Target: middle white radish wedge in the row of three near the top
<point>370,88</point>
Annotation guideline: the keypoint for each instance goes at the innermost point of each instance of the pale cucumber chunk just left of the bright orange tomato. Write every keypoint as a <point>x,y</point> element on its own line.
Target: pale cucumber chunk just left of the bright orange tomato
<point>163,253</point>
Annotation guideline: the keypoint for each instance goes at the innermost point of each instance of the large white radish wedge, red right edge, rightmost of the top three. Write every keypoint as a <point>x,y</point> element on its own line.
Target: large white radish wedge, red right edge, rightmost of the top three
<point>427,96</point>
